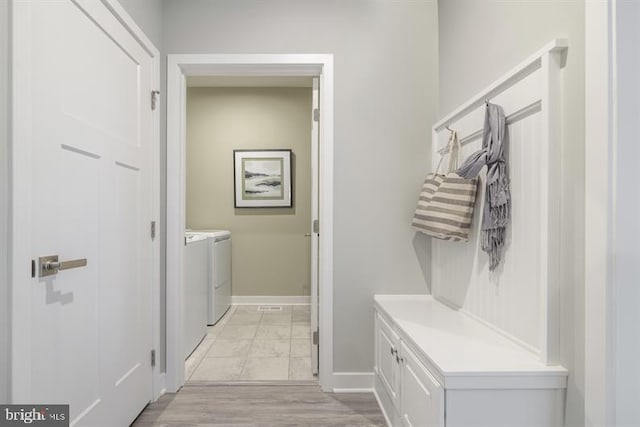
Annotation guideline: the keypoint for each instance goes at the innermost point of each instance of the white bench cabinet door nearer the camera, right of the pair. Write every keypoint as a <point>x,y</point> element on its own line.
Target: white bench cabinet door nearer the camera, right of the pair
<point>421,396</point>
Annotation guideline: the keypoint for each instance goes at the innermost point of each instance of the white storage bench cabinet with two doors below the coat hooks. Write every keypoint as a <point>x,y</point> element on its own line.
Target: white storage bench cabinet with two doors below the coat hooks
<point>435,367</point>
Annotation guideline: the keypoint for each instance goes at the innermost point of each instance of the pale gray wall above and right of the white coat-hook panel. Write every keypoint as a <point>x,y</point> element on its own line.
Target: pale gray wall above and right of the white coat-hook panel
<point>480,40</point>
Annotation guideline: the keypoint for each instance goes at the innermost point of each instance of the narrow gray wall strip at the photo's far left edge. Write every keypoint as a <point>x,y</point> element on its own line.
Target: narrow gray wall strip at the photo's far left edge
<point>4,204</point>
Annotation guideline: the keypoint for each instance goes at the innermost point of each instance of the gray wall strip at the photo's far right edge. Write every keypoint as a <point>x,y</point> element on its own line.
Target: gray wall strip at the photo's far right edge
<point>626,249</point>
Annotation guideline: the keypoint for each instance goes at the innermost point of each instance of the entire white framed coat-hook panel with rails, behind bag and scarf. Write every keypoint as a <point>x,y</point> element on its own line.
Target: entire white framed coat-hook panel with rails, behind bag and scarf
<point>520,297</point>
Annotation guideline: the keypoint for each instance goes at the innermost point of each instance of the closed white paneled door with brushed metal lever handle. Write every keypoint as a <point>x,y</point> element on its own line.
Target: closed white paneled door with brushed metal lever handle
<point>83,130</point>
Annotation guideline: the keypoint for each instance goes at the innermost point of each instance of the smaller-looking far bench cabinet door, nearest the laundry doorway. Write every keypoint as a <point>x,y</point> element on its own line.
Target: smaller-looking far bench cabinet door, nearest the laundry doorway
<point>387,358</point>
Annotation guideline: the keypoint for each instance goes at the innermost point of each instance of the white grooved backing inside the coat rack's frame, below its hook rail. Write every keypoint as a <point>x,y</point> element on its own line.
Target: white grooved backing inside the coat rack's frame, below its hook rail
<point>509,295</point>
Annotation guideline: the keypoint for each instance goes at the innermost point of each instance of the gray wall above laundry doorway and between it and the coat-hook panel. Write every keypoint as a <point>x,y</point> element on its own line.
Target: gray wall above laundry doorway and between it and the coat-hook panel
<point>385,57</point>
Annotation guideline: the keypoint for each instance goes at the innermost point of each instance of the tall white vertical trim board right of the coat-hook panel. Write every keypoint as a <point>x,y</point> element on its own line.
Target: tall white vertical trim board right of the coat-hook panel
<point>600,213</point>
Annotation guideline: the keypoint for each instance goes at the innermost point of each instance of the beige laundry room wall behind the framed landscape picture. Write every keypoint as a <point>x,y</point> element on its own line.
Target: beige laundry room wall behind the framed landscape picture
<point>270,251</point>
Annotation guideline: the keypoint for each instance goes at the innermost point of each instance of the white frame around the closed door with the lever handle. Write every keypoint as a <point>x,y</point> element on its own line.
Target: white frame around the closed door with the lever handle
<point>19,206</point>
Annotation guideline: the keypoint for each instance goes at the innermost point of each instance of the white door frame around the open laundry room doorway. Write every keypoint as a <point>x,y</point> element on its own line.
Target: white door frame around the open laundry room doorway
<point>179,66</point>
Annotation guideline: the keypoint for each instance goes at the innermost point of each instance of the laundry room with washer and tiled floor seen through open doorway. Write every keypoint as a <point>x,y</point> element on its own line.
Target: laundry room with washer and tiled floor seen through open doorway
<point>248,177</point>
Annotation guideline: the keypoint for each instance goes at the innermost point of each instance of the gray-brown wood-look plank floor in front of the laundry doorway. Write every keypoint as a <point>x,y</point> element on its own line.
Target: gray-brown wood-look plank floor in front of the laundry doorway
<point>245,405</point>
